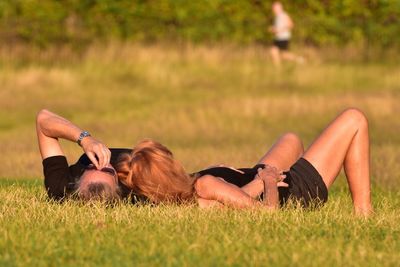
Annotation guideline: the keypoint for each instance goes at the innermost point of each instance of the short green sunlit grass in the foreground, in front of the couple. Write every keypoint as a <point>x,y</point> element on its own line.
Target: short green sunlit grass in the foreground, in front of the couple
<point>36,231</point>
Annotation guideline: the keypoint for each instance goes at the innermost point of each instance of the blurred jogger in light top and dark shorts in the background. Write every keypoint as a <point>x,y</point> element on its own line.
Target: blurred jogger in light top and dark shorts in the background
<point>281,29</point>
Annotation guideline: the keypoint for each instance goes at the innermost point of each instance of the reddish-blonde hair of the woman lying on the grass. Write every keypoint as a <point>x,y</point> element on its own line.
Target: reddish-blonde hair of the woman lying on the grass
<point>151,170</point>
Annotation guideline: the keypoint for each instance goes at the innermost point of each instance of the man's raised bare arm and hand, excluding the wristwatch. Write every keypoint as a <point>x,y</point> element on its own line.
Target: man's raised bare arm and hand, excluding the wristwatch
<point>50,127</point>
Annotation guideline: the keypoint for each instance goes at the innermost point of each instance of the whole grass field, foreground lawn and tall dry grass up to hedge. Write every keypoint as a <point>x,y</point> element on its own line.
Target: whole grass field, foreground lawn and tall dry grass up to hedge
<point>209,105</point>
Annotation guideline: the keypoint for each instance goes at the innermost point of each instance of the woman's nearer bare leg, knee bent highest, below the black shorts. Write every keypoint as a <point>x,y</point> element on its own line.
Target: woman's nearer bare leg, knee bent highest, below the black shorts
<point>345,142</point>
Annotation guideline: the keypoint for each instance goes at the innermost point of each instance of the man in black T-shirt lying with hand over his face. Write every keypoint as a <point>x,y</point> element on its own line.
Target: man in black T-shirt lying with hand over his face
<point>92,177</point>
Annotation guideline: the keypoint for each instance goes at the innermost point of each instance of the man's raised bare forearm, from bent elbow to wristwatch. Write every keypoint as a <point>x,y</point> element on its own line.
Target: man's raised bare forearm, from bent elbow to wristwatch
<point>54,126</point>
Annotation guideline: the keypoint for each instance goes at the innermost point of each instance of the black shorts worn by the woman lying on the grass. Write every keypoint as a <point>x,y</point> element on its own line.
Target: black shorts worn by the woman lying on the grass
<point>305,185</point>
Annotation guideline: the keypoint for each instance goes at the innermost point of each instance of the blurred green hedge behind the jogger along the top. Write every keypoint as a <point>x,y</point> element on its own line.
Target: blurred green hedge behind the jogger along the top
<point>80,22</point>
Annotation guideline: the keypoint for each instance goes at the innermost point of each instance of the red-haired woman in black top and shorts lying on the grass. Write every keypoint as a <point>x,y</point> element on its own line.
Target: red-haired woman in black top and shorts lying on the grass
<point>150,170</point>
